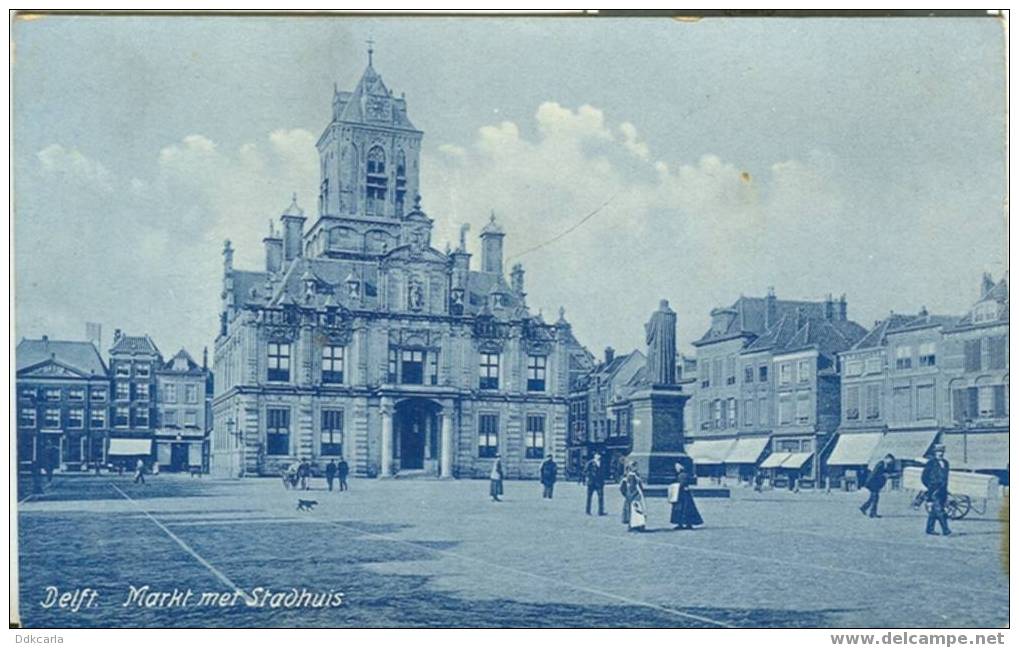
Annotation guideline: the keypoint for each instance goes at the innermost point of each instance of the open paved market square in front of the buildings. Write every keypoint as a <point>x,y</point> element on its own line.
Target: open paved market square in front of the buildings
<point>432,554</point>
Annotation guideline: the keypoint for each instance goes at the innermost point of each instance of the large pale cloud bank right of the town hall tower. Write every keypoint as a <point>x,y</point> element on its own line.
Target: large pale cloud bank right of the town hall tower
<point>698,232</point>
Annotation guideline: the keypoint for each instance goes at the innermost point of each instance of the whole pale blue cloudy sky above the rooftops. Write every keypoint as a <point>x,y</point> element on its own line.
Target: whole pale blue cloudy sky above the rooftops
<point>719,157</point>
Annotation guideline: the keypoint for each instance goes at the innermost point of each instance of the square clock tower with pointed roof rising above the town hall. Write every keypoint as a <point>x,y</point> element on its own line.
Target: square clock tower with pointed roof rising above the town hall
<point>369,154</point>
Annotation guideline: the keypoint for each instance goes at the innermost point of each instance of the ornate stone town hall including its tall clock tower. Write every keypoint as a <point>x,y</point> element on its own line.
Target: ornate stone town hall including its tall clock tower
<point>360,340</point>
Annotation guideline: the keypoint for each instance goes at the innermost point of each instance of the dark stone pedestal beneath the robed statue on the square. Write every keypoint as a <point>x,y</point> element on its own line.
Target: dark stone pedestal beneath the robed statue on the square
<point>658,433</point>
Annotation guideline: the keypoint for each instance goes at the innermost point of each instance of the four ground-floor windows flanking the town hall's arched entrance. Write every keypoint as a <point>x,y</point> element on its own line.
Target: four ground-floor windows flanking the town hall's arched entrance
<point>332,434</point>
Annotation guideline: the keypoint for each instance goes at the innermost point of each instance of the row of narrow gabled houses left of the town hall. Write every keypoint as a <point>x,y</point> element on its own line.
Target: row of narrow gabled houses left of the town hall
<point>78,412</point>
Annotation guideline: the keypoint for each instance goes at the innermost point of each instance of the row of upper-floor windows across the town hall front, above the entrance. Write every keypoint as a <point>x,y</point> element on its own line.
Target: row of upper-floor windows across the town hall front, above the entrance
<point>406,366</point>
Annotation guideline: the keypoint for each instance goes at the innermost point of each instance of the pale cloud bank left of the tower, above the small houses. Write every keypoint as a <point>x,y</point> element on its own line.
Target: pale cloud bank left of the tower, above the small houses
<point>143,253</point>
